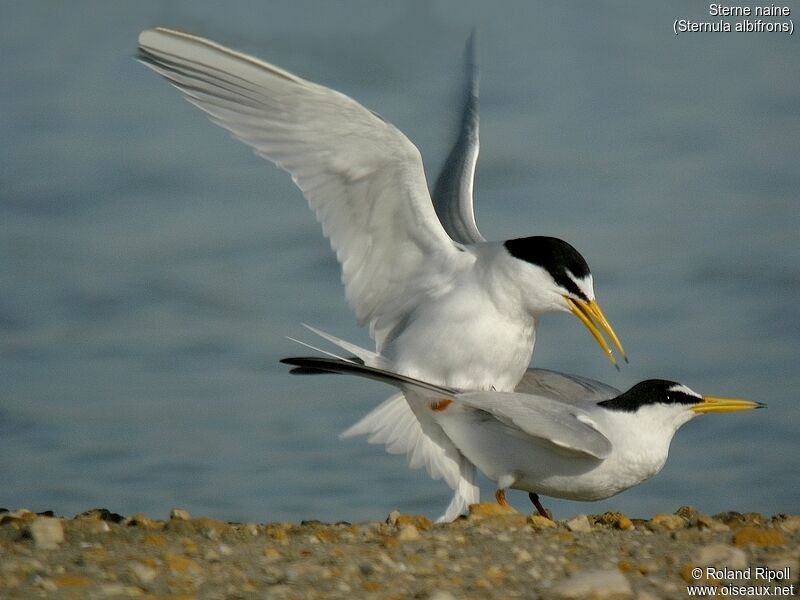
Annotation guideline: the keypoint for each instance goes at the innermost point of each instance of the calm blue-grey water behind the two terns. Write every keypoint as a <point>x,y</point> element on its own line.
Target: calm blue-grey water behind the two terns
<point>151,266</point>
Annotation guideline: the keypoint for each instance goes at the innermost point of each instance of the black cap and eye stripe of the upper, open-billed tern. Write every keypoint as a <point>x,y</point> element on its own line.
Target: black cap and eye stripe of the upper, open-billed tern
<point>556,256</point>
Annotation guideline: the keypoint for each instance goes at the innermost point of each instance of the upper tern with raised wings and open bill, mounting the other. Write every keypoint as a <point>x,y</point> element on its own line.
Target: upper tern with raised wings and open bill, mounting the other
<point>442,305</point>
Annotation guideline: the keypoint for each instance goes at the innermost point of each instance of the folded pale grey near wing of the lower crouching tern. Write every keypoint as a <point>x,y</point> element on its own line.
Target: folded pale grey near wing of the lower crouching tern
<point>563,425</point>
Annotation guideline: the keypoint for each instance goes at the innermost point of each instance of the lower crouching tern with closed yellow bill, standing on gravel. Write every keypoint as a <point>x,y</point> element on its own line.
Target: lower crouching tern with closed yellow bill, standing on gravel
<point>588,445</point>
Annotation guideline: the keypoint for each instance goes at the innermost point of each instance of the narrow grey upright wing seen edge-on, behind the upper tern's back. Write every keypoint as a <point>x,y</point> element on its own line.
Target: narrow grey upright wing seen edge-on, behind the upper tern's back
<point>452,194</point>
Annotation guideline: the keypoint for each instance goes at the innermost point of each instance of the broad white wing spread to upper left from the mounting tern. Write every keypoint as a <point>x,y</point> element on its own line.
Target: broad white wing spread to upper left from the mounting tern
<point>360,174</point>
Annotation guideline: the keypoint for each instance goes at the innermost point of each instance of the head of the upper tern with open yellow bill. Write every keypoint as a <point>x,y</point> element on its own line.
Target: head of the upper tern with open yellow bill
<point>558,279</point>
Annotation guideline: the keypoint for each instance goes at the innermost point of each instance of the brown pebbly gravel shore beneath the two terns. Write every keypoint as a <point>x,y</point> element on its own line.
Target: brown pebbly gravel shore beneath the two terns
<point>493,553</point>
